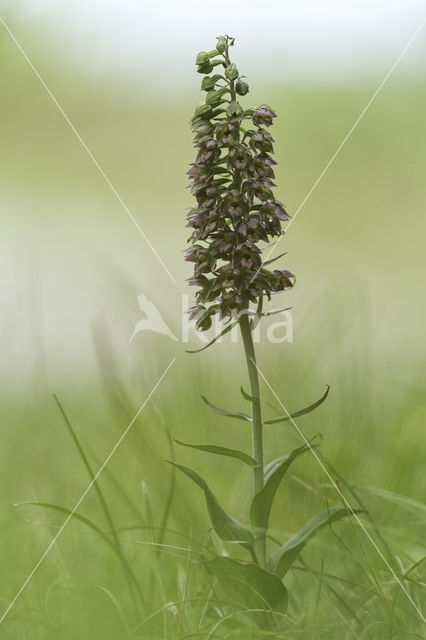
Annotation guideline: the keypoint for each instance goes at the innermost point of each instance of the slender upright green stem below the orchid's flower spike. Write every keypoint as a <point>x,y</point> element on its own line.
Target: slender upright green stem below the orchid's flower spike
<point>257,433</point>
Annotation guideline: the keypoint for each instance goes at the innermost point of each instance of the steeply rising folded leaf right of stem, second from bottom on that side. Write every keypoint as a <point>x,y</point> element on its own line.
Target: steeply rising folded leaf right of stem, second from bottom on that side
<point>274,472</point>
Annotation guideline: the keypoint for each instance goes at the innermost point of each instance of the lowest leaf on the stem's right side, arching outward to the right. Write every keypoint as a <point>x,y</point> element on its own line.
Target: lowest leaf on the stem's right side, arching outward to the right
<point>281,561</point>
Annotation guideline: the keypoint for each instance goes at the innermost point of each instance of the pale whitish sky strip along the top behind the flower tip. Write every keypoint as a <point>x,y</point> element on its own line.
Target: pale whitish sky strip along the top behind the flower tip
<point>295,38</point>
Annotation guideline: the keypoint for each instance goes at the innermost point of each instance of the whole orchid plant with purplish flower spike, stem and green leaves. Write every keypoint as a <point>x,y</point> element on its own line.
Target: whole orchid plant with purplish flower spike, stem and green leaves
<point>235,217</point>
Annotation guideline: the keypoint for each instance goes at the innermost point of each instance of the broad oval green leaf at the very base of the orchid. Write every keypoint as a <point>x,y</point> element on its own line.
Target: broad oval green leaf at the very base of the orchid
<point>250,585</point>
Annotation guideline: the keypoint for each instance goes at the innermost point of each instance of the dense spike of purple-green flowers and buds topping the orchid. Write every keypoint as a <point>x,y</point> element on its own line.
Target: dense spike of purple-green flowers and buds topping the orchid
<point>232,179</point>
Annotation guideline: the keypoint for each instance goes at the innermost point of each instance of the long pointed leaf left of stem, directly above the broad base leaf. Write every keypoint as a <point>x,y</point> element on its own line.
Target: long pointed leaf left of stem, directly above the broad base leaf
<point>226,527</point>
